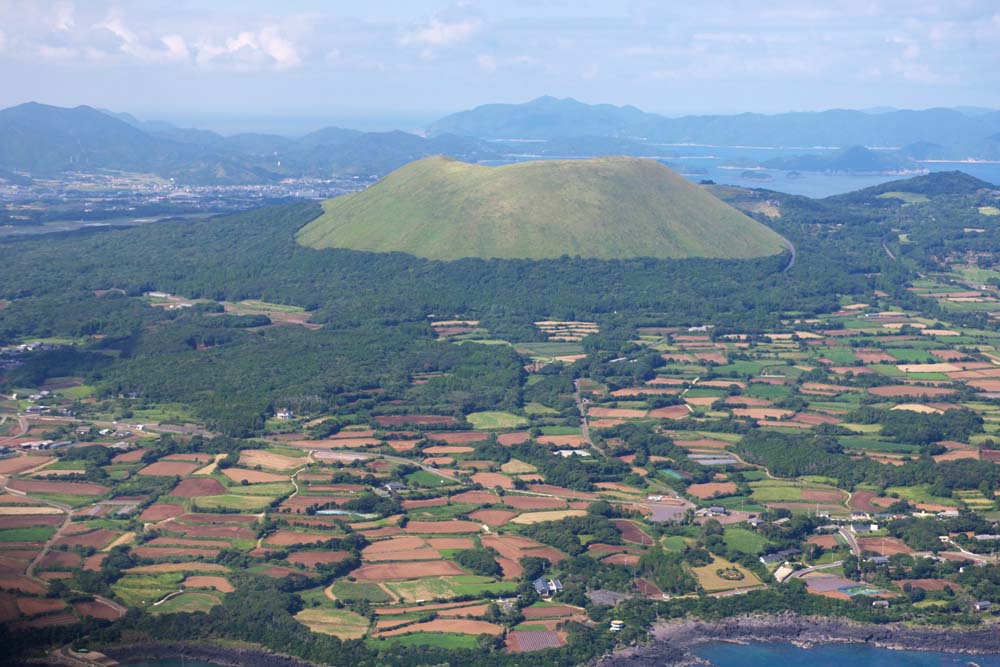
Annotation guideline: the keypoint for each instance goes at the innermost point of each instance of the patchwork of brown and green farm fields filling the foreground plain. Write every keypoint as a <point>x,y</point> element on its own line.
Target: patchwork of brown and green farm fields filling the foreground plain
<point>408,510</point>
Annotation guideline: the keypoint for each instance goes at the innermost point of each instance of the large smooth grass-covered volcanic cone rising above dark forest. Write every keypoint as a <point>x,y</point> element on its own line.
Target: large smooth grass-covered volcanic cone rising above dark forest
<point>535,210</point>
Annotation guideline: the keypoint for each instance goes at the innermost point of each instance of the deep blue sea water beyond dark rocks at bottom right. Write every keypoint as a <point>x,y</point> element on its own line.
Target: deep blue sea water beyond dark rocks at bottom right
<point>786,655</point>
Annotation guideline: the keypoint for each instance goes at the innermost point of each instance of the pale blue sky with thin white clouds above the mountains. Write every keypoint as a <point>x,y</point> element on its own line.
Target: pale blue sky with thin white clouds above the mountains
<point>247,63</point>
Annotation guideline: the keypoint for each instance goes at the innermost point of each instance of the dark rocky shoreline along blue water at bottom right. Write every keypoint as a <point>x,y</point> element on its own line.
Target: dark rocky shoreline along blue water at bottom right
<point>673,644</point>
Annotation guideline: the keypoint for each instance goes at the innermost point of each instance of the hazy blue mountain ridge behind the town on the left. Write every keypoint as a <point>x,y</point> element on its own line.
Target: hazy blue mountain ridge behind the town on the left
<point>43,140</point>
